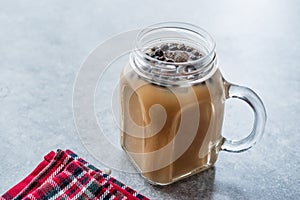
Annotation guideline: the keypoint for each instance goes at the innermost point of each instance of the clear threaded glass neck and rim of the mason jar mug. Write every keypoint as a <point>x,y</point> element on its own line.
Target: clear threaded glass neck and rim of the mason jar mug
<point>174,54</point>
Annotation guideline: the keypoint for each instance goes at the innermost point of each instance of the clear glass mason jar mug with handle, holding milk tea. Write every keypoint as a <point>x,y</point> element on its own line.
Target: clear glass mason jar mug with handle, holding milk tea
<point>172,117</point>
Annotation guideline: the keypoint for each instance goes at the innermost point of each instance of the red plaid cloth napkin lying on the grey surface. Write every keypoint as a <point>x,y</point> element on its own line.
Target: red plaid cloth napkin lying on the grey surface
<point>64,175</point>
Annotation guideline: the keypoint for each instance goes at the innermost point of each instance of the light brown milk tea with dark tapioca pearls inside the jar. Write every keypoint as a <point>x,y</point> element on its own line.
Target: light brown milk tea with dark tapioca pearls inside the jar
<point>139,95</point>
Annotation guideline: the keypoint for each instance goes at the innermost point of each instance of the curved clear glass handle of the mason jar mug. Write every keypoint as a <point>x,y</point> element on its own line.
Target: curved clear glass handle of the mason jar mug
<point>260,117</point>
